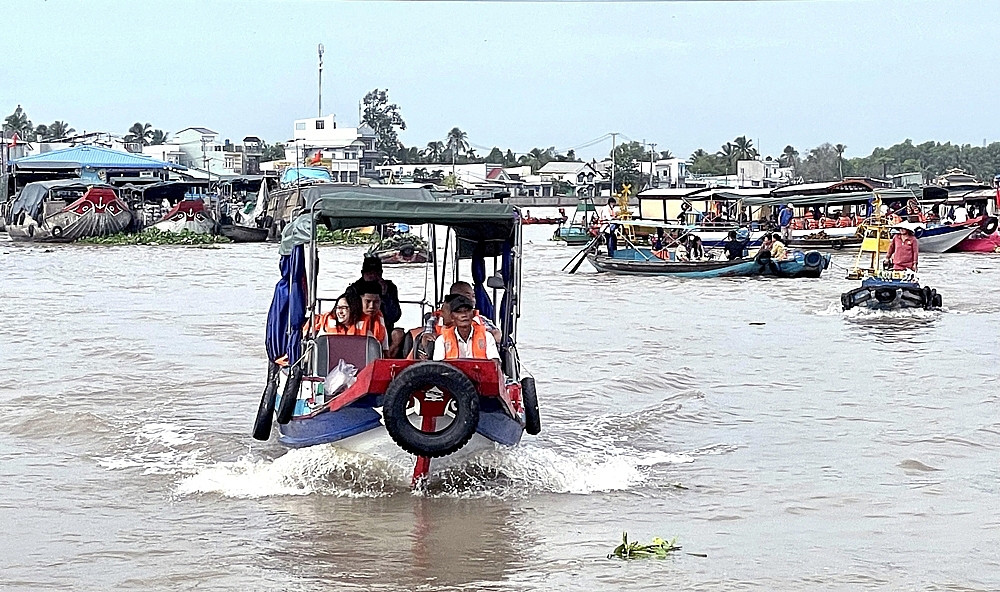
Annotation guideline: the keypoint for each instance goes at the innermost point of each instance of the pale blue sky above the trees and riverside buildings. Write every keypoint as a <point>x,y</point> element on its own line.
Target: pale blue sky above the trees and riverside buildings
<point>517,75</point>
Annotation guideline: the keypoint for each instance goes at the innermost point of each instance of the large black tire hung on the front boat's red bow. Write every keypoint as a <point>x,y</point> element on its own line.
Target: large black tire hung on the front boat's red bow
<point>421,377</point>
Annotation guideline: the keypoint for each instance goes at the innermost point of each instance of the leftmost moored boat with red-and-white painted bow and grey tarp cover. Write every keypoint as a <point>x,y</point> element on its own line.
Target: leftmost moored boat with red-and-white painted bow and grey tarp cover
<point>66,210</point>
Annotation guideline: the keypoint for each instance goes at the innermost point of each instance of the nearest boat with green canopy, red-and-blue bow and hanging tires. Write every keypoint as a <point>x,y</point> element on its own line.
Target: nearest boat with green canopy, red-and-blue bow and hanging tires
<point>421,409</point>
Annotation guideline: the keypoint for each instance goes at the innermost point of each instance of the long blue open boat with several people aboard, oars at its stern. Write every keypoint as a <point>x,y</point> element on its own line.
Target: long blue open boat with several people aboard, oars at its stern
<point>640,260</point>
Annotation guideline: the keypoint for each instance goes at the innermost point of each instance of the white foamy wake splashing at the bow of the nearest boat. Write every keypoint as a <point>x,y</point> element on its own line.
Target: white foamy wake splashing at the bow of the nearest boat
<point>501,473</point>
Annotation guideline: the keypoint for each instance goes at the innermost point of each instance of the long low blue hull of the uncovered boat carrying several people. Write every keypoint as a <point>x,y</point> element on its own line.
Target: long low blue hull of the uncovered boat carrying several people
<point>791,268</point>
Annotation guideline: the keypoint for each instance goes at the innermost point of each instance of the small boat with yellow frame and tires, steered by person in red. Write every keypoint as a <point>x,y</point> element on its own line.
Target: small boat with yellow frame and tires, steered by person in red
<point>881,288</point>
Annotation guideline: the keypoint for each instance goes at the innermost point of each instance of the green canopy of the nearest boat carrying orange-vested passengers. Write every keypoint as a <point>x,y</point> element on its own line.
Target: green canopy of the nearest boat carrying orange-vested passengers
<point>338,210</point>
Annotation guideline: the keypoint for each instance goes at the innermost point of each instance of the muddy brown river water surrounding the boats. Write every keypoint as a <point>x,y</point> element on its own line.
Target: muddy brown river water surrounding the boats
<point>796,446</point>
